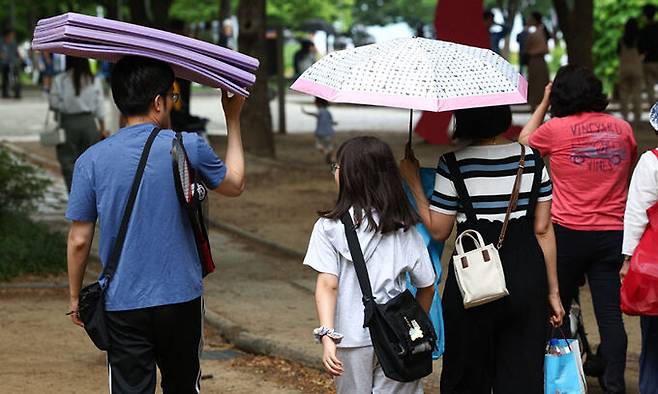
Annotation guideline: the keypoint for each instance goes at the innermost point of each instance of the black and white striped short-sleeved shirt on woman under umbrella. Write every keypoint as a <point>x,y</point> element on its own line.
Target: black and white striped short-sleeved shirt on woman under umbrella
<point>489,172</point>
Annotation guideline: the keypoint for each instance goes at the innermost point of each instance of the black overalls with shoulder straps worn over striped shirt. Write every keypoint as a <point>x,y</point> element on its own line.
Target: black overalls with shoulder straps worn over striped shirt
<point>499,345</point>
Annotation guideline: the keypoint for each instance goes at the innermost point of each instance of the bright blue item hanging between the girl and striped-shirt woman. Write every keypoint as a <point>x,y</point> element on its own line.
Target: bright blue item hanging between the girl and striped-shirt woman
<point>427,176</point>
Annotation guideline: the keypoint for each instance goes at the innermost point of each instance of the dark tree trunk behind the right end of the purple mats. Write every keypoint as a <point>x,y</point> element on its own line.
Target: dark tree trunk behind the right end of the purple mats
<point>256,119</point>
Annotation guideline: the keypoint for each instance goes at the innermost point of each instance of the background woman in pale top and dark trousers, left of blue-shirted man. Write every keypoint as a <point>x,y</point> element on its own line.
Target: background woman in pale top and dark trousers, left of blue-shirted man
<point>78,101</point>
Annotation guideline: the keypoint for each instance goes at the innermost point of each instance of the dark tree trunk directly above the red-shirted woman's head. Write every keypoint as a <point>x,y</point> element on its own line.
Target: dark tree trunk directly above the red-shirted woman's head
<point>577,25</point>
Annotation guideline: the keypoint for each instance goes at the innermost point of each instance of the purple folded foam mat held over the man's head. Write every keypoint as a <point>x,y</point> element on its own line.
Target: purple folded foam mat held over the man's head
<point>106,39</point>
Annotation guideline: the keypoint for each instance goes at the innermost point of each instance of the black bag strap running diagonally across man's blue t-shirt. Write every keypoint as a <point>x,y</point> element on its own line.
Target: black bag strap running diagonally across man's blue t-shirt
<point>112,263</point>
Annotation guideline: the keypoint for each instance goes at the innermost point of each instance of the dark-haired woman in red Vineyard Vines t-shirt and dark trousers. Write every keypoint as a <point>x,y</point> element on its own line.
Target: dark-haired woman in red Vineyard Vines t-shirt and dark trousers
<point>591,156</point>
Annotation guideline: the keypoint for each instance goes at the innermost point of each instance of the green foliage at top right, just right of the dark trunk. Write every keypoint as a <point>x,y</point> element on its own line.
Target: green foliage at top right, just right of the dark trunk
<point>609,19</point>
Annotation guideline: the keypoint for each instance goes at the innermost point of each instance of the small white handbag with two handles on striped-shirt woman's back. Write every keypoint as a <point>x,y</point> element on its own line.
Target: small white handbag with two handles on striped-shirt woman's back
<point>479,272</point>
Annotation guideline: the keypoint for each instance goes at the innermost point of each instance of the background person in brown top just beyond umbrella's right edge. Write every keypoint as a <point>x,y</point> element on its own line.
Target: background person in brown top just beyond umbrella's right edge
<point>536,47</point>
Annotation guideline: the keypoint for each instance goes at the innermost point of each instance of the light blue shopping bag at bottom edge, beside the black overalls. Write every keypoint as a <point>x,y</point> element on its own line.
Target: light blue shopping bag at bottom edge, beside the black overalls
<point>563,372</point>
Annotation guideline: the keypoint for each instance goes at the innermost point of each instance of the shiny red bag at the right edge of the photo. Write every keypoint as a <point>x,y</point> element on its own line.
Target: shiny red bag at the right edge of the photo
<point>639,290</point>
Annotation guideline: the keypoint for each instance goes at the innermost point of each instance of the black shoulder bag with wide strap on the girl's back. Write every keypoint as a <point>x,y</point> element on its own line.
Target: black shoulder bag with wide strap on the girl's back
<point>402,334</point>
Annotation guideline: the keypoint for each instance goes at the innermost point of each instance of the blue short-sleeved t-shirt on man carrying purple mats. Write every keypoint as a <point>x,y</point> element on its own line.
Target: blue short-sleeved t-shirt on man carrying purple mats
<point>159,263</point>
